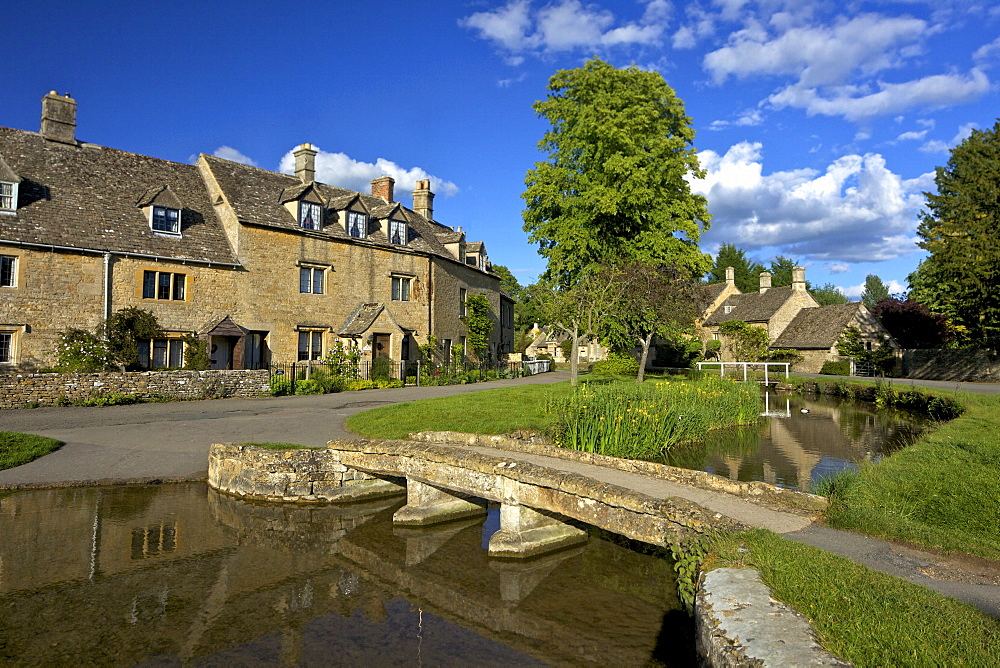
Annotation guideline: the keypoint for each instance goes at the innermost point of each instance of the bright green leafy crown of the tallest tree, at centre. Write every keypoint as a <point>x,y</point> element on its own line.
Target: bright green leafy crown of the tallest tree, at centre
<point>614,188</point>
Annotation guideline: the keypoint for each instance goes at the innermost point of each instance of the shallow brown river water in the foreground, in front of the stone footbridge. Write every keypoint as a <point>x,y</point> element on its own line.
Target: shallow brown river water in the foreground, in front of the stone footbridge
<point>127,574</point>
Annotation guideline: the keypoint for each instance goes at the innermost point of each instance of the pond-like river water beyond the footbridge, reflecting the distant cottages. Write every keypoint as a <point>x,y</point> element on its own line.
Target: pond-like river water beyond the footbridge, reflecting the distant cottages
<point>804,439</point>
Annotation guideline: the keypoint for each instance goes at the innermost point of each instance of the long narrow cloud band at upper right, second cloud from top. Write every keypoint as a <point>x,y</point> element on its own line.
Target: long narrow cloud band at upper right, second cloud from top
<point>854,104</point>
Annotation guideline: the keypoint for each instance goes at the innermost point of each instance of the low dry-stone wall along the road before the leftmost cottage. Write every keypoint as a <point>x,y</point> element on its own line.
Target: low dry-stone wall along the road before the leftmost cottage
<point>18,390</point>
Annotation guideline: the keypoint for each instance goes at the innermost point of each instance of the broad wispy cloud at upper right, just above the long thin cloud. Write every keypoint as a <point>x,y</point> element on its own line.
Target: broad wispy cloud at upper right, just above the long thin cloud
<point>817,55</point>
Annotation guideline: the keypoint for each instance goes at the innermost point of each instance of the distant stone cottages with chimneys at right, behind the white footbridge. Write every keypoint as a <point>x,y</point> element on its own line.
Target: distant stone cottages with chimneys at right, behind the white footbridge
<point>792,317</point>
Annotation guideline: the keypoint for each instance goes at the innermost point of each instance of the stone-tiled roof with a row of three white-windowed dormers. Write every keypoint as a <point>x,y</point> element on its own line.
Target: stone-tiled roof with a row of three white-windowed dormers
<point>255,195</point>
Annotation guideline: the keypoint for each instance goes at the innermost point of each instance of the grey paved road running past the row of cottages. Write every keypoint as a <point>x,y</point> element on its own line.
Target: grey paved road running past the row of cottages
<point>171,441</point>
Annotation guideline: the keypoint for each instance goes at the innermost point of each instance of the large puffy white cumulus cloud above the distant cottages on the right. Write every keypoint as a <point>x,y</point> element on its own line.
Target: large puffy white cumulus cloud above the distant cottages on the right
<point>855,210</point>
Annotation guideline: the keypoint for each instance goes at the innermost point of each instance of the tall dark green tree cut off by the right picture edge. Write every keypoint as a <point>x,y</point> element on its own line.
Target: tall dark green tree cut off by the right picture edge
<point>961,230</point>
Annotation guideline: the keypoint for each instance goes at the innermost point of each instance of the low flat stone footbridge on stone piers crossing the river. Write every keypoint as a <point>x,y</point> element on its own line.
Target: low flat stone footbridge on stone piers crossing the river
<point>544,492</point>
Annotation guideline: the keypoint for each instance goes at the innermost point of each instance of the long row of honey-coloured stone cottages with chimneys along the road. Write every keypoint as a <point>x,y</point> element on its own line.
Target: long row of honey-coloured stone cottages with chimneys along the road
<point>265,266</point>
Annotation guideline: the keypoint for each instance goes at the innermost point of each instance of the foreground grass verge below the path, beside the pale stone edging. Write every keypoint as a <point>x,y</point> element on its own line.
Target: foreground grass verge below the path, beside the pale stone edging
<point>863,616</point>
